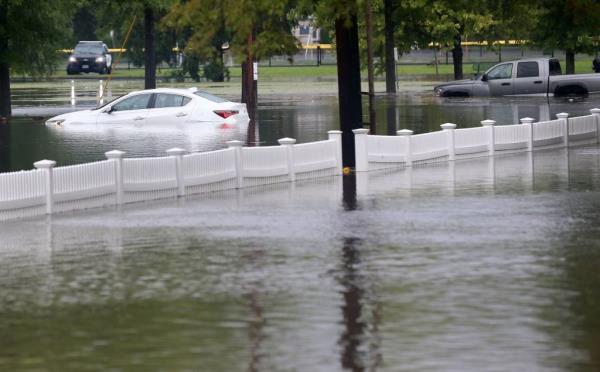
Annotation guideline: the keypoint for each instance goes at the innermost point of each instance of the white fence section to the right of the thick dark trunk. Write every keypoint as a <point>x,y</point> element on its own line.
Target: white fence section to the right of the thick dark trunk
<point>375,152</point>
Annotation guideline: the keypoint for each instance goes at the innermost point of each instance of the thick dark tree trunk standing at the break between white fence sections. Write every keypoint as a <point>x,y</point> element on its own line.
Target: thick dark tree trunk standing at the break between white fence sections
<point>348,69</point>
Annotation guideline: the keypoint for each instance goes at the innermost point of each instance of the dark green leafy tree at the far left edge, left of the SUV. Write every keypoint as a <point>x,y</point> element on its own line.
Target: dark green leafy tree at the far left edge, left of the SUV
<point>29,39</point>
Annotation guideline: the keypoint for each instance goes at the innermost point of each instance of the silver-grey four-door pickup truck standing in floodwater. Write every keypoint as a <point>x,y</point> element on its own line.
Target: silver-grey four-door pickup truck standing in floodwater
<point>535,76</point>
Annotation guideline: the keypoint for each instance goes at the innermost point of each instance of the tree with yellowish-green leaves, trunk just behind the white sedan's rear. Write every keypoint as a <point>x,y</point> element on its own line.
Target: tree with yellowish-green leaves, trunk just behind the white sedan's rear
<point>253,29</point>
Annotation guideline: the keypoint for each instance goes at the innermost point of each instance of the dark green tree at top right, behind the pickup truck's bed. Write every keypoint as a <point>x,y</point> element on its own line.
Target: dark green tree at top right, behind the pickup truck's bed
<point>570,26</point>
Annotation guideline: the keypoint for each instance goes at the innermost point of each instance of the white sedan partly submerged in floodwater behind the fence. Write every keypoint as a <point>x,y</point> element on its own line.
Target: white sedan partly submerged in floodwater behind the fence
<point>162,108</point>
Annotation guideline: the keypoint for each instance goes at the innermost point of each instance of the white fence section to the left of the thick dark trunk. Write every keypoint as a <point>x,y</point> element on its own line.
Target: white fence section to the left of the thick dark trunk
<point>118,180</point>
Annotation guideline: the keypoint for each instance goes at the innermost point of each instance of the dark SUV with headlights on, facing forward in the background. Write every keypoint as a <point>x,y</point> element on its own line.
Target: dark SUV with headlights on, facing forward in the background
<point>90,56</point>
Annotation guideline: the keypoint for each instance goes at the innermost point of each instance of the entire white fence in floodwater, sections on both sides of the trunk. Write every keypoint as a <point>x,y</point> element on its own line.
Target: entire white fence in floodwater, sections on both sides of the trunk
<point>118,180</point>
